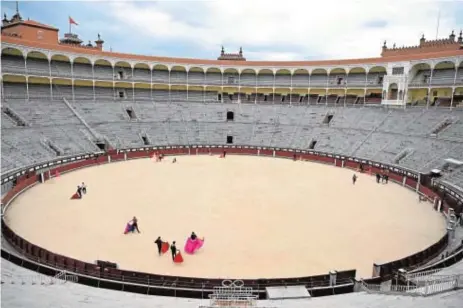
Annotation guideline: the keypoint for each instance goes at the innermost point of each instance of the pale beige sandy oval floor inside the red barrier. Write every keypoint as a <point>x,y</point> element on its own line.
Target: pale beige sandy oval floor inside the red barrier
<point>261,217</point>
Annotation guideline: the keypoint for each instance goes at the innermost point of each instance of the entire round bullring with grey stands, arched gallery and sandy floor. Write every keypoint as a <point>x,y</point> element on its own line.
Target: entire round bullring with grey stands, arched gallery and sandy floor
<point>341,177</point>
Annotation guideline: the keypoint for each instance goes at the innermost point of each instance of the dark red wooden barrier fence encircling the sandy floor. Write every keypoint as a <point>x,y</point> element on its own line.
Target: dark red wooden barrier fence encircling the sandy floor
<point>32,175</point>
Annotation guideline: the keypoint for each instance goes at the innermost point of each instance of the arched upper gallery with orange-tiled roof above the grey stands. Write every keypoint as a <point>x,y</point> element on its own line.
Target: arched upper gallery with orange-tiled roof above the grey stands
<point>34,52</point>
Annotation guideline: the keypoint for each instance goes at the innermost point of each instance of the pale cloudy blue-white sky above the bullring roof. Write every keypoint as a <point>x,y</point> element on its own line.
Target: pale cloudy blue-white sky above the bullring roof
<point>266,30</point>
